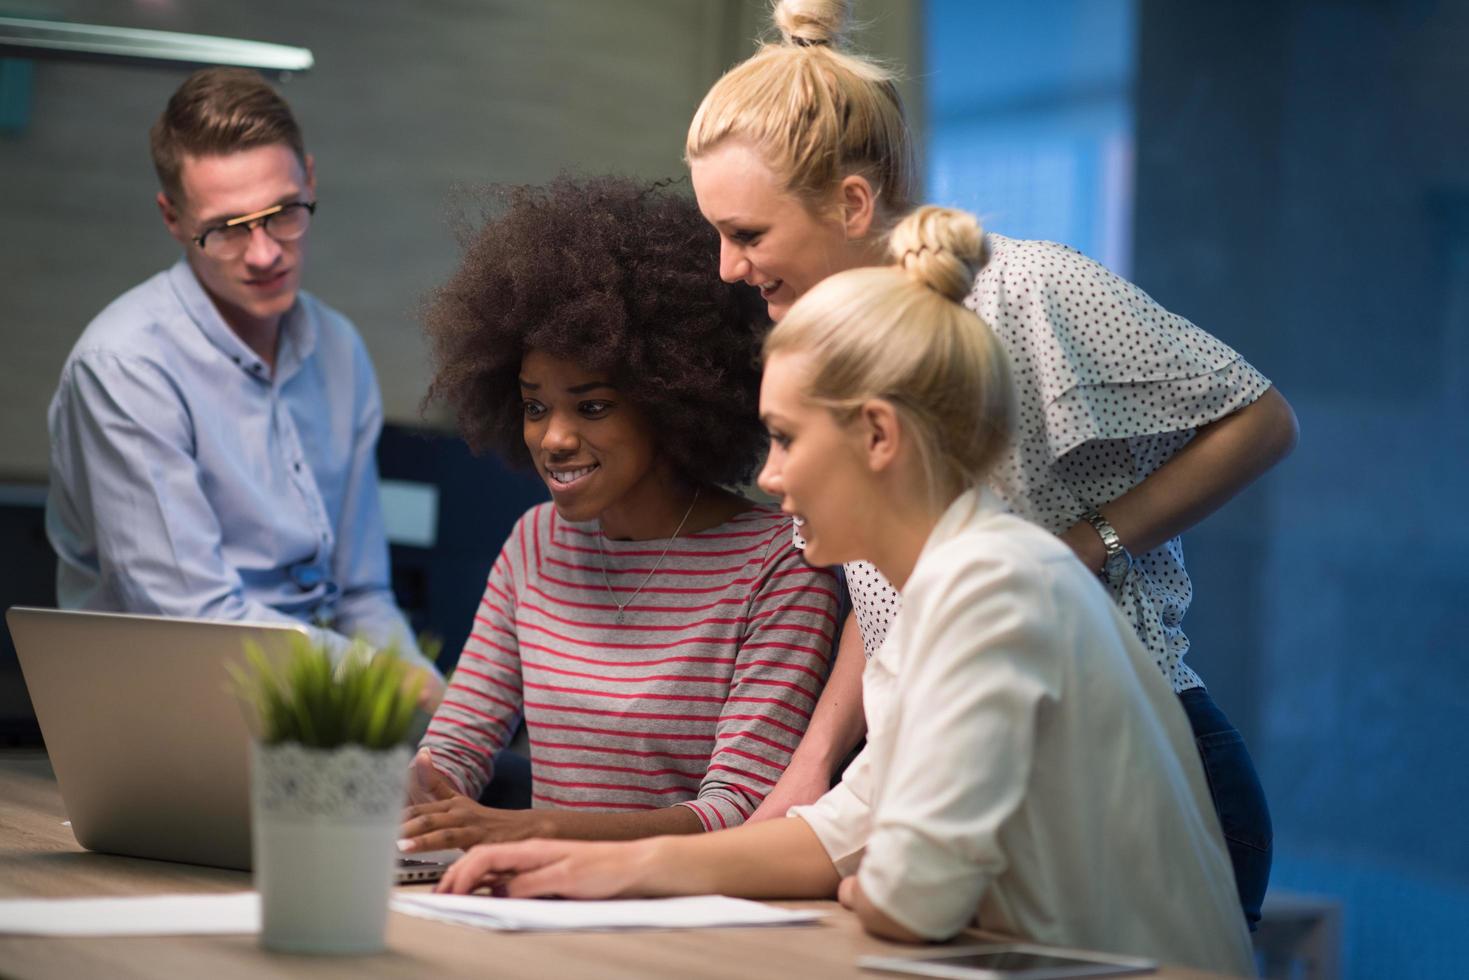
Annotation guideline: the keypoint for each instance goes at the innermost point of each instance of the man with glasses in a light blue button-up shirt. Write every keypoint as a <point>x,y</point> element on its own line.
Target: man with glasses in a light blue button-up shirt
<point>215,430</point>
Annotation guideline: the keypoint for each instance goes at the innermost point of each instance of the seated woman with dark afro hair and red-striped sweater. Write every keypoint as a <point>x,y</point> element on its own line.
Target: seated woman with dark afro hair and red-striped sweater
<point>662,635</point>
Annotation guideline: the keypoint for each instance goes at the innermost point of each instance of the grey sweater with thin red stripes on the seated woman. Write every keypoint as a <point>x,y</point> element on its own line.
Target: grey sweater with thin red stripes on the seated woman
<point>699,699</point>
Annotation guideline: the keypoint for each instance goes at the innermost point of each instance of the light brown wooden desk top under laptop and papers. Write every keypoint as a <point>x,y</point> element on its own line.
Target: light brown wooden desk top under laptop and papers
<point>40,859</point>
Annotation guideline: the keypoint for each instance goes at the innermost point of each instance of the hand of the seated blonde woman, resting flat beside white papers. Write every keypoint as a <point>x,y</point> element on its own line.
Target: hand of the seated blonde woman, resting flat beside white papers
<point>533,869</point>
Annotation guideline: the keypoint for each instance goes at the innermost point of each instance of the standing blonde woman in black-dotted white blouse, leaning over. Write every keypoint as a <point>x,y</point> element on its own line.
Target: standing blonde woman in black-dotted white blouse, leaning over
<point>1133,422</point>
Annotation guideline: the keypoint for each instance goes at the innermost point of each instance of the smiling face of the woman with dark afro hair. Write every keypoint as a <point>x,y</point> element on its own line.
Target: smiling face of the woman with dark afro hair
<point>593,447</point>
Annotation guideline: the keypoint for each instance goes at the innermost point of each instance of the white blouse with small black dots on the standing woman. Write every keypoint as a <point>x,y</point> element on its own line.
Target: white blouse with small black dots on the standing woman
<point>1110,387</point>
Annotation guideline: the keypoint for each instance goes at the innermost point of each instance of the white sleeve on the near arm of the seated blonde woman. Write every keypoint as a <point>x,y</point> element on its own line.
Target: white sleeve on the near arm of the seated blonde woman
<point>961,747</point>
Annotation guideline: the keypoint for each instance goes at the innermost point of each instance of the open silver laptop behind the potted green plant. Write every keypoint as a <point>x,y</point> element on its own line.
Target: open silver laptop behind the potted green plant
<point>149,744</point>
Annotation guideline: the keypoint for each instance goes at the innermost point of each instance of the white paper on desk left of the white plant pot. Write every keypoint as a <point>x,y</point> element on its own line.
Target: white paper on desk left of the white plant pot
<point>236,913</point>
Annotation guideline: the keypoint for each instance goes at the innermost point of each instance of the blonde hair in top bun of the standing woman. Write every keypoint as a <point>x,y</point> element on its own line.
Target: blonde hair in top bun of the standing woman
<point>815,112</point>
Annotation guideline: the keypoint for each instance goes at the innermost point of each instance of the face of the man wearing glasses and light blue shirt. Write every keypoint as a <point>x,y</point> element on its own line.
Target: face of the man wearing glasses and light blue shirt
<point>253,290</point>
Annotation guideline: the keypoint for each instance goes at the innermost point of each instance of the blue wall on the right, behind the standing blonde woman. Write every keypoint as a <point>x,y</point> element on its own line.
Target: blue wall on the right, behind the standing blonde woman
<point>1301,190</point>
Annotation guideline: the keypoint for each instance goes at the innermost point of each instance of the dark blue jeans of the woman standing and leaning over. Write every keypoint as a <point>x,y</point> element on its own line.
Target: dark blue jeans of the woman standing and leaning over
<point>1238,799</point>
